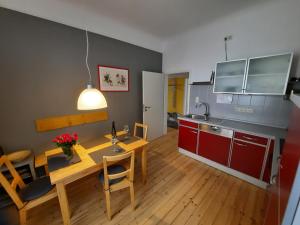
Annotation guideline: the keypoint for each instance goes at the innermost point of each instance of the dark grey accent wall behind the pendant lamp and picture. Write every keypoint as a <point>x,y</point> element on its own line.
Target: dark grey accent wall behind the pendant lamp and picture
<point>42,72</point>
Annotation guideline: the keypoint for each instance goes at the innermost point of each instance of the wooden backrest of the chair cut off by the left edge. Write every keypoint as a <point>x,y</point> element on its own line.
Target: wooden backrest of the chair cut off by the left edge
<point>11,187</point>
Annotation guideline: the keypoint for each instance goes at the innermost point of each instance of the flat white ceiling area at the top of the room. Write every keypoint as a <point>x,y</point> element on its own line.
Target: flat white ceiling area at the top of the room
<point>163,18</point>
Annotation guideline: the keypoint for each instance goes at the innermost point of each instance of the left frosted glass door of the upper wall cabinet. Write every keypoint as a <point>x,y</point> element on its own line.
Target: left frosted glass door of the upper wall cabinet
<point>230,76</point>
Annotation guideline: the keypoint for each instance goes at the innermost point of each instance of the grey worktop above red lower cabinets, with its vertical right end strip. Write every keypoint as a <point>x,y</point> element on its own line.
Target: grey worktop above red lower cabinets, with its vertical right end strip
<point>255,129</point>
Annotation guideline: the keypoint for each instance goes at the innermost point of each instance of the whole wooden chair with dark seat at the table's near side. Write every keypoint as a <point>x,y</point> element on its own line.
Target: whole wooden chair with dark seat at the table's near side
<point>117,177</point>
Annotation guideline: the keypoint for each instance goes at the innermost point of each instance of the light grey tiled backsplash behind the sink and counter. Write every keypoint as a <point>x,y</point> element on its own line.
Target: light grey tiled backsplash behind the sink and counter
<point>265,110</point>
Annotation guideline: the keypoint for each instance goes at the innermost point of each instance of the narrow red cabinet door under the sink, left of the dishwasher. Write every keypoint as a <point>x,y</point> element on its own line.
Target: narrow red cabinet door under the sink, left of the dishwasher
<point>187,139</point>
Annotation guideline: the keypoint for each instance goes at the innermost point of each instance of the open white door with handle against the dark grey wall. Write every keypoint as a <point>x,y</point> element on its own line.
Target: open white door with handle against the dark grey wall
<point>153,103</point>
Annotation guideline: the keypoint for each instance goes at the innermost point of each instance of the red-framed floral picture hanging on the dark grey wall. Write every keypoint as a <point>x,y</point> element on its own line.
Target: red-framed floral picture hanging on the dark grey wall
<point>113,78</point>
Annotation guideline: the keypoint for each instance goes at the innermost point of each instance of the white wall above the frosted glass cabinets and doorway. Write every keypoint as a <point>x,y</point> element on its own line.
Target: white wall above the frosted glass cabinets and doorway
<point>263,29</point>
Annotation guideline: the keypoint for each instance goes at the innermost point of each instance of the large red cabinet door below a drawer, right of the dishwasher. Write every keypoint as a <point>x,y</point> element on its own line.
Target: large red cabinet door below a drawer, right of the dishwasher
<point>247,158</point>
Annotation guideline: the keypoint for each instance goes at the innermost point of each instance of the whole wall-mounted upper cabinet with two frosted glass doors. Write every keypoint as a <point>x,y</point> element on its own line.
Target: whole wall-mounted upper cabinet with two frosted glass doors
<point>267,75</point>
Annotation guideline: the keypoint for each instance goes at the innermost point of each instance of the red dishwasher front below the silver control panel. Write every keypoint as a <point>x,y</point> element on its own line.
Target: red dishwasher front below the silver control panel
<point>214,147</point>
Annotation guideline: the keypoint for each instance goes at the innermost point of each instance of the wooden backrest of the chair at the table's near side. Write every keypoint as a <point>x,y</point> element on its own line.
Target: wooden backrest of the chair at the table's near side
<point>129,173</point>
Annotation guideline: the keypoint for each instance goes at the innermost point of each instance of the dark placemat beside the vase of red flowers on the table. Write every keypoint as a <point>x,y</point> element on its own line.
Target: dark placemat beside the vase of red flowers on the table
<point>60,161</point>
